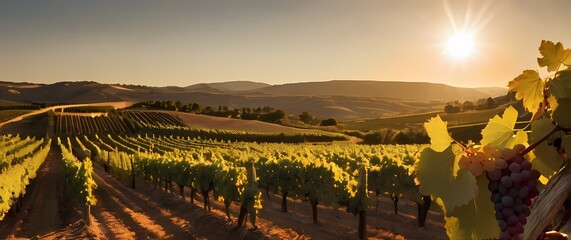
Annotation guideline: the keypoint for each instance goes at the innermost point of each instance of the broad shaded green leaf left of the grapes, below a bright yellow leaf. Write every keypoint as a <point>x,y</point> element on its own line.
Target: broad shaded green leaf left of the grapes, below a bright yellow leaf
<point>435,173</point>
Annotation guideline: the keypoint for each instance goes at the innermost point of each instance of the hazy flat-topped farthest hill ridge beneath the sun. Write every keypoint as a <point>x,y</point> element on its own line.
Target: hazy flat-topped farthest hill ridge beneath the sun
<point>400,90</point>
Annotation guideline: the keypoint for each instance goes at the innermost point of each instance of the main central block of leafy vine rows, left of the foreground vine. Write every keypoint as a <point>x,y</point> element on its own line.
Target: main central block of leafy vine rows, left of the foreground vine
<point>333,175</point>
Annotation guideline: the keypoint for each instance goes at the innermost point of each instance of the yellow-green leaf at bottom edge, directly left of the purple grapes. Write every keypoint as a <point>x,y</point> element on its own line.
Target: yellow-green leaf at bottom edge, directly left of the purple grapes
<point>476,218</point>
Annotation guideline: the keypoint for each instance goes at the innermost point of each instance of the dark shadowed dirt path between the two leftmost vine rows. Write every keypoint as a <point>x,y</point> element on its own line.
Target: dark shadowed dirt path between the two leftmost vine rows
<point>45,208</point>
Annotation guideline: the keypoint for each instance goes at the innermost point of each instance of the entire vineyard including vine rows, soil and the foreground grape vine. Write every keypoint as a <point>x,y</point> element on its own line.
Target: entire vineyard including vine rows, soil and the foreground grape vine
<point>513,184</point>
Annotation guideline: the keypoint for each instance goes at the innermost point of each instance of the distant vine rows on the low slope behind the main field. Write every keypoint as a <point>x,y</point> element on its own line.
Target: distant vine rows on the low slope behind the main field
<point>162,123</point>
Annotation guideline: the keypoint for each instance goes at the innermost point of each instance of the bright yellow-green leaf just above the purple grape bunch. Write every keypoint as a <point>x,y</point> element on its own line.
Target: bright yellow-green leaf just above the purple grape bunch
<point>499,131</point>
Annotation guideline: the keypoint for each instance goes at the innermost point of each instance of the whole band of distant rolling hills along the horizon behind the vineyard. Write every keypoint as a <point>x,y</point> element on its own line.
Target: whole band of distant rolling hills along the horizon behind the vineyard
<point>339,99</point>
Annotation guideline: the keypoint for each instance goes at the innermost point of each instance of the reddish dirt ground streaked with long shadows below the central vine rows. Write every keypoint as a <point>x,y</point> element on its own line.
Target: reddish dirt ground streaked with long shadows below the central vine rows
<point>168,212</point>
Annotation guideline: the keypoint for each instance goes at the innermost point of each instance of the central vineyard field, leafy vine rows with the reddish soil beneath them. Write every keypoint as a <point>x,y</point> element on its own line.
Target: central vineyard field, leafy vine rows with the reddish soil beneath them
<point>150,164</point>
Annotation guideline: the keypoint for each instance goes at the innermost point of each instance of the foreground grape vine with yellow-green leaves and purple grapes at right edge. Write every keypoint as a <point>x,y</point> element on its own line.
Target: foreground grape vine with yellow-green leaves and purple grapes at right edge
<point>476,185</point>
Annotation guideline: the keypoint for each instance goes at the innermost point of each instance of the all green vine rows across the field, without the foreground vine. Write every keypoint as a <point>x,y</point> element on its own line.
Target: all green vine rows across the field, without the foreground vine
<point>221,170</point>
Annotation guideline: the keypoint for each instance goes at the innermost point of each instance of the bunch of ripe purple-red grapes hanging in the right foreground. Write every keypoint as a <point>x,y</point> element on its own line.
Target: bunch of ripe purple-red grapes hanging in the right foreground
<point>513,184</point>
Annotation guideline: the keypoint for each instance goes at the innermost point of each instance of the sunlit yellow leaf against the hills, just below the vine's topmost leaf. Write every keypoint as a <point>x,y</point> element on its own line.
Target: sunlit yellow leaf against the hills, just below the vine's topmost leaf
<point>529,87</point>
